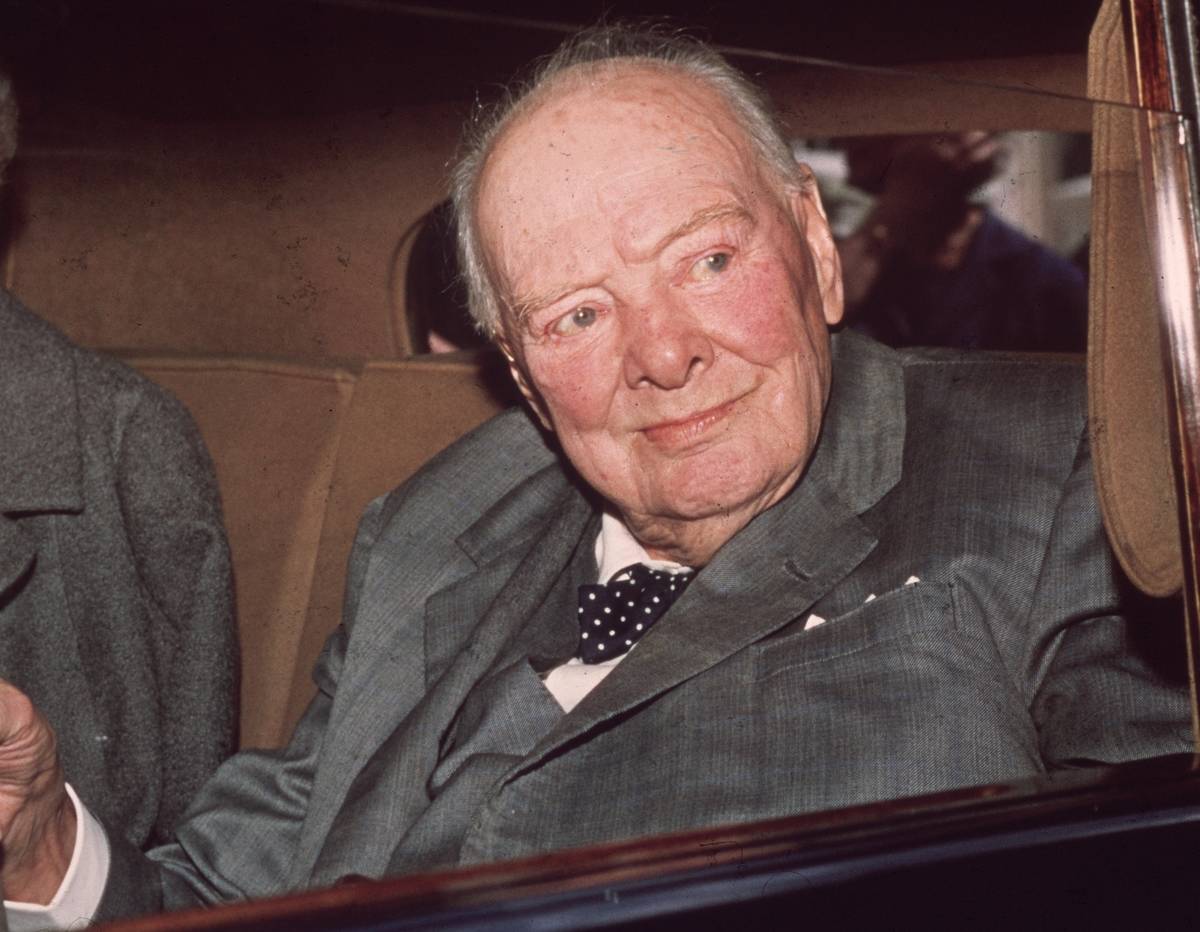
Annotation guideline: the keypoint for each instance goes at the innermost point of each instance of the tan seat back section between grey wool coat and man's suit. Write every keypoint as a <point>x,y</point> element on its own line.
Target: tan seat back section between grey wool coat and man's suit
<point>273,430</point>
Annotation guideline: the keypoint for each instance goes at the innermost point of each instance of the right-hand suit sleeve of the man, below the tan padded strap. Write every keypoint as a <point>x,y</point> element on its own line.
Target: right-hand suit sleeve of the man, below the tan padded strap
<point>1107,670</point>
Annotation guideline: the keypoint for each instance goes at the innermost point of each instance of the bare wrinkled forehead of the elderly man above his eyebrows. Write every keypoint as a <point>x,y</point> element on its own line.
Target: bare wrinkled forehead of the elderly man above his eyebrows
<point>607,143</point>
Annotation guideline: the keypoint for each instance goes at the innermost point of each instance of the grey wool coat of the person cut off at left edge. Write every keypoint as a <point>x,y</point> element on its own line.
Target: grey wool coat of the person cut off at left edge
<point>116,599</point>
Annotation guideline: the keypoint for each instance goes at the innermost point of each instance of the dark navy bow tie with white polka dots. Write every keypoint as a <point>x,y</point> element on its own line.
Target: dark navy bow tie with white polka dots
<point>615,615</point>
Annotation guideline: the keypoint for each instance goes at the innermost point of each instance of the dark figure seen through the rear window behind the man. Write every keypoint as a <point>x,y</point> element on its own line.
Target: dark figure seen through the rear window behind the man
<point>929,267</point>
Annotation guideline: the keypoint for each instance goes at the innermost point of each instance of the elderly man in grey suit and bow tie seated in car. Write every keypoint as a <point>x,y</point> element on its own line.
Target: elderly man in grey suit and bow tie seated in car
<point>752,573</point>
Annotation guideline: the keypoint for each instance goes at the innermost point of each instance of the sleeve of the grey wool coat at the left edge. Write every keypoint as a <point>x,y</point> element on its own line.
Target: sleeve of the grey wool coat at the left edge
<point>172,513</point>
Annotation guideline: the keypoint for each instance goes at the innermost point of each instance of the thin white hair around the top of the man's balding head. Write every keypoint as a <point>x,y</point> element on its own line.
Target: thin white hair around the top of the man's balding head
<point>596,47</point>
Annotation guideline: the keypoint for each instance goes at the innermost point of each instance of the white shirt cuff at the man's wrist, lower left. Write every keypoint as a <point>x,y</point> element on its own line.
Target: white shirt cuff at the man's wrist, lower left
<point>79,897</point>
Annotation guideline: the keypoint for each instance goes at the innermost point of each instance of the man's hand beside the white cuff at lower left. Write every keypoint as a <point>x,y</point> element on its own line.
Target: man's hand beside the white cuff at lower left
<point>38,822</point>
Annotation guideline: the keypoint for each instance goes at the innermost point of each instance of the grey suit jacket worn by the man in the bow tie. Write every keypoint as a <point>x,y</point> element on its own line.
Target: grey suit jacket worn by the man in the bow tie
<point>433,741</point>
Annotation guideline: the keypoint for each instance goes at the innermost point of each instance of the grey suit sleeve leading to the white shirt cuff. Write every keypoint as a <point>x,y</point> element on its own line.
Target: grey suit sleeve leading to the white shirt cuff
<point>242,832</point>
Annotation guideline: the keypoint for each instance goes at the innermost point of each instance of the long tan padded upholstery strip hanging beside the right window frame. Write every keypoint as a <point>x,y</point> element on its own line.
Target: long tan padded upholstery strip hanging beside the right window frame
<point>1127,394</point>
